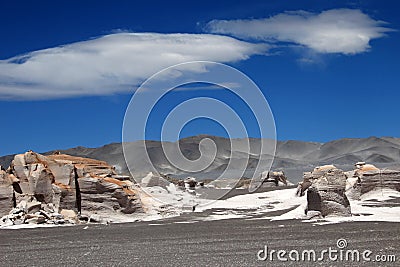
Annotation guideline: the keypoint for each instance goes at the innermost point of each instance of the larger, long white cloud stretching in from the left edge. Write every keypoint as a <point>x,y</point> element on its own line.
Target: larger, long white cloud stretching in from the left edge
<point>114,63</point>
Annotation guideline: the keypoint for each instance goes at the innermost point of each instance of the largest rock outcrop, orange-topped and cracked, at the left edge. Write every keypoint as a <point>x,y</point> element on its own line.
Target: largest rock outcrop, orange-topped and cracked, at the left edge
<point>59,186</point>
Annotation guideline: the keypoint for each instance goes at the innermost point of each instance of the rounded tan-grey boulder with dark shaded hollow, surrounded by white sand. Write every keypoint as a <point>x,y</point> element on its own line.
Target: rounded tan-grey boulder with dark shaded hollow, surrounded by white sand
<point>325,187</point>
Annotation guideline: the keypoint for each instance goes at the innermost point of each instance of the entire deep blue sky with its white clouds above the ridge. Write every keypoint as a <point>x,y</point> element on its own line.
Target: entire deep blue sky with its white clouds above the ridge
<point>329,69</point>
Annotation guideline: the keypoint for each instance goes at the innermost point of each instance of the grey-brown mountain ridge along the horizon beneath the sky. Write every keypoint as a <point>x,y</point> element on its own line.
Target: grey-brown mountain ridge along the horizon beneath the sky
<point>293,157</point>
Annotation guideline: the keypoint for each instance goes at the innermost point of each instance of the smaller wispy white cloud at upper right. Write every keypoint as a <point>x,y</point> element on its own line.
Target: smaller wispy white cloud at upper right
<point>346,31</point>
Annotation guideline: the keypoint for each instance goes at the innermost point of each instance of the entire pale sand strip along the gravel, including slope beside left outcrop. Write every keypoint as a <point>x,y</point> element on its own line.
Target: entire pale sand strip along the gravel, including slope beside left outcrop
<point>170,202</point>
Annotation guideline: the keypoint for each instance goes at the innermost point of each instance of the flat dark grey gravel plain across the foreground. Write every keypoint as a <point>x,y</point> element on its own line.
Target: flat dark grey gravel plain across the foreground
<point>233,242</point>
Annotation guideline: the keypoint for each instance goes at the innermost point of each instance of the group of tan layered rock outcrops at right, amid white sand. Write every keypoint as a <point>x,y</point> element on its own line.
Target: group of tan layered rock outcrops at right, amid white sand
<point>329,189</point>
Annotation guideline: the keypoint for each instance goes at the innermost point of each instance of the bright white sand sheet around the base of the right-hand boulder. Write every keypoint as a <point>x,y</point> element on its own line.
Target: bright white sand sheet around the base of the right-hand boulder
<point>278,200</point>
